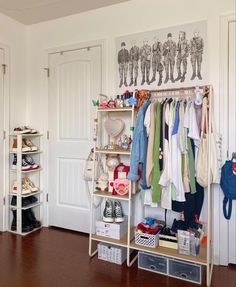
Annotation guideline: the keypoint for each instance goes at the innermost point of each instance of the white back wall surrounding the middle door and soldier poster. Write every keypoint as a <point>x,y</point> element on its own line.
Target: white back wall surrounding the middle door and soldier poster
<point>107,23</point>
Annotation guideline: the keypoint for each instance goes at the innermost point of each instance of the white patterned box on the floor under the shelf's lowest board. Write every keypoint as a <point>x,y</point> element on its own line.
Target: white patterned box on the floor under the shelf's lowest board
<point>111,253</point>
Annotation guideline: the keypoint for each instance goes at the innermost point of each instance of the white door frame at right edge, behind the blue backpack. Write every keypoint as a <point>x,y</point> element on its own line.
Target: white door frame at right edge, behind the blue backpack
<point>223,226</point>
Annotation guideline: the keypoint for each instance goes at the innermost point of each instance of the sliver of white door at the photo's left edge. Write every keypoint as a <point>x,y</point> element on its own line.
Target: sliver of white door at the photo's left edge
<point>2,112</point>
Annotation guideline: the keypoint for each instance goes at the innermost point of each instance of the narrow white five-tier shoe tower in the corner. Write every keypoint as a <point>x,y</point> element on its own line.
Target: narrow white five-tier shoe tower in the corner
<point>18,174</point>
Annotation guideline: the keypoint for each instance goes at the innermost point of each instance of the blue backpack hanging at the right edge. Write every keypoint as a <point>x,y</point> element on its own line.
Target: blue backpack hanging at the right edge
<point>228,185</point>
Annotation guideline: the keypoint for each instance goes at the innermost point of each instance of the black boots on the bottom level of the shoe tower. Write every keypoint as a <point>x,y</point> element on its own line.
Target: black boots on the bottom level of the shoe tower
<point>29,221</point>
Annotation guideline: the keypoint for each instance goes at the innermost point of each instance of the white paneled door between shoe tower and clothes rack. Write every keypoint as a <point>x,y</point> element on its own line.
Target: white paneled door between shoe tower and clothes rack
<point>75,79</point>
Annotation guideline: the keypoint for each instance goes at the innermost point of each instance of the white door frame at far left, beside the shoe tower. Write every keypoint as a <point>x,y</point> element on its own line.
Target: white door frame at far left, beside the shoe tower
<point>4,198</point>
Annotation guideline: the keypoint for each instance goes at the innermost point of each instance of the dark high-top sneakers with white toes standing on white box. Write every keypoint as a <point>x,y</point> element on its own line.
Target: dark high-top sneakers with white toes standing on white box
<point>113,213</point>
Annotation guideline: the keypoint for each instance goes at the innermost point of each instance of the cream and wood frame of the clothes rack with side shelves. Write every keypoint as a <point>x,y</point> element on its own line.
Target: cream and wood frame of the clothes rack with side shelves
<point>206,252</point>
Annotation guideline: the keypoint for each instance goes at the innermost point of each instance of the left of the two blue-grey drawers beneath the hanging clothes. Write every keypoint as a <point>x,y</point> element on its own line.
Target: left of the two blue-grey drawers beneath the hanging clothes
<point>154,263</point>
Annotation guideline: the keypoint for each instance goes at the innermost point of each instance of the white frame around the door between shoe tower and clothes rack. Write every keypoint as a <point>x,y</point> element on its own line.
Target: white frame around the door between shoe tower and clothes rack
<point>83,45</point>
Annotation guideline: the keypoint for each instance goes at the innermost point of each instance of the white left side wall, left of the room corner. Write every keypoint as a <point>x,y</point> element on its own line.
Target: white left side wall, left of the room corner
<point>13,35</point>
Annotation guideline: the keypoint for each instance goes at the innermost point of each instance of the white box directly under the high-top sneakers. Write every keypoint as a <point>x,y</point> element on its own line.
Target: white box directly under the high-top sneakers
<point>112,230</point>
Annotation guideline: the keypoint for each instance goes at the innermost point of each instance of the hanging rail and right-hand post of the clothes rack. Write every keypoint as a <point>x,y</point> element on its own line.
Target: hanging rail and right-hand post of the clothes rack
<point>185,92</point>
